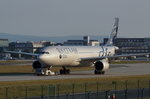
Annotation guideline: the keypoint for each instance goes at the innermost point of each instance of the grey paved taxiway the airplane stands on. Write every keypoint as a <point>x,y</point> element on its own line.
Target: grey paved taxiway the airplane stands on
<point>115,70</point>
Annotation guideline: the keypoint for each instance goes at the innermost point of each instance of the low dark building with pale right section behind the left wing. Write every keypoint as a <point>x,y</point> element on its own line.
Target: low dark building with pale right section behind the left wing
<point>29,47</point>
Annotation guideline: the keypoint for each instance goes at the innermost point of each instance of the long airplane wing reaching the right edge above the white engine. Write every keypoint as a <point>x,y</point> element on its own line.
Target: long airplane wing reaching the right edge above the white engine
<point>114,56</point>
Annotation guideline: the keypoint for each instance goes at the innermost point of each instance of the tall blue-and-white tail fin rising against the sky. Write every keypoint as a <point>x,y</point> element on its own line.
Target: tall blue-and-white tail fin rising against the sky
<point>114,33</point>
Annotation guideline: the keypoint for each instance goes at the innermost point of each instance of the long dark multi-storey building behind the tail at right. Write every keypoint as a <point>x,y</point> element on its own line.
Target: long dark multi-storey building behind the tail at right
<point>132,45</point>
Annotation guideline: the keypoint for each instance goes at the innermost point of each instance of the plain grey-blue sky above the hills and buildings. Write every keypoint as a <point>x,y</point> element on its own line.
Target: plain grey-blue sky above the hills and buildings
<point>75,17</point>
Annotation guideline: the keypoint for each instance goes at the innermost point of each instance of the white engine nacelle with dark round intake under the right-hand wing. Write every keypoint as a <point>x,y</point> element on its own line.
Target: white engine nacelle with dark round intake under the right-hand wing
<point>101,65</point>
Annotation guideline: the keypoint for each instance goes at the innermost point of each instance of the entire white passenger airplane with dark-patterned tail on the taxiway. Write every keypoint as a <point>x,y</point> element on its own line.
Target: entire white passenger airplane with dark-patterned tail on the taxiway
<point>96,56</point>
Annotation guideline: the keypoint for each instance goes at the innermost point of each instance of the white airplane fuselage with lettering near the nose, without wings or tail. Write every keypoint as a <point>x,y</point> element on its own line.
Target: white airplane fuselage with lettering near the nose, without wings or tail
<point>70,55</point>
